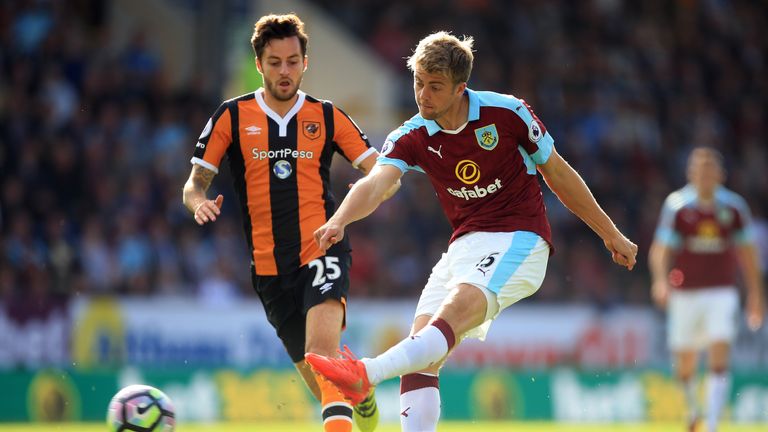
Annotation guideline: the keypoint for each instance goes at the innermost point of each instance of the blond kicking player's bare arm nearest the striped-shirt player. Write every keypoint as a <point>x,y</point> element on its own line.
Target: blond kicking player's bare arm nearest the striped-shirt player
<point>364,197</point>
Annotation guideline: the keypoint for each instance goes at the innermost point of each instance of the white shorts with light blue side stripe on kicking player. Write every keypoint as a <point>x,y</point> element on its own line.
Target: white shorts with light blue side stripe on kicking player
<point>506,266</point>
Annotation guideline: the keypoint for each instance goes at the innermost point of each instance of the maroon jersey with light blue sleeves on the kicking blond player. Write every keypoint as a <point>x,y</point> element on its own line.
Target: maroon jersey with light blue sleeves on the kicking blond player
<point>484,173</point>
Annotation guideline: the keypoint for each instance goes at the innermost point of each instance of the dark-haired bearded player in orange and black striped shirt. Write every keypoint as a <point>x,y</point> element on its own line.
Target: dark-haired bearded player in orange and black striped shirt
<point>280,142</point>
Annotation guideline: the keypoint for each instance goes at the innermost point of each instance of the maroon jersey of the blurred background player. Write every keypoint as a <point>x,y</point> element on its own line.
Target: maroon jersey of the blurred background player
<point>703,237</point>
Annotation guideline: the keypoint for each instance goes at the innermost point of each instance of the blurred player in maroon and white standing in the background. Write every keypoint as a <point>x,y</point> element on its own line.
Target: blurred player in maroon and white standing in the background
<point>703,231</point>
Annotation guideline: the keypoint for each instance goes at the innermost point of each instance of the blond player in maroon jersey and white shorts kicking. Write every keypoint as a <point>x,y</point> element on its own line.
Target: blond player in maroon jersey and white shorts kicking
<point>482,152</point>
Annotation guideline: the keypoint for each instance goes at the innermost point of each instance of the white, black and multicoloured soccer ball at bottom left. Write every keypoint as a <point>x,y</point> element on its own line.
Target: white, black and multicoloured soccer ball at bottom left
<point>140,408</point>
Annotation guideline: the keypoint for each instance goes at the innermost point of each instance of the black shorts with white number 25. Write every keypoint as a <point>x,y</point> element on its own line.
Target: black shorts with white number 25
<point>287,298</point>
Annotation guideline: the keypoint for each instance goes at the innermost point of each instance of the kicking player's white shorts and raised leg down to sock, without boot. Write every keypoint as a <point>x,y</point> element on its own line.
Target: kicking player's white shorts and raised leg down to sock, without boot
<point>487,272</point>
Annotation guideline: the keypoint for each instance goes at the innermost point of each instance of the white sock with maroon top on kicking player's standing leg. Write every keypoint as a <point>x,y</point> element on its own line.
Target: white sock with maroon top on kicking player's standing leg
<point>419,403</point>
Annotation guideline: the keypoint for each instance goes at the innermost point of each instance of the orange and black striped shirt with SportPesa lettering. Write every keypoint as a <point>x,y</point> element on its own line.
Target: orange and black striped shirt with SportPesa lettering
<point>281,171</point>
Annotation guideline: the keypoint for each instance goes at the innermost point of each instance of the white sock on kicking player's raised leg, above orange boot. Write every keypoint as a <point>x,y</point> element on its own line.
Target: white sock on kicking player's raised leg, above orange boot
<point>413,353</point>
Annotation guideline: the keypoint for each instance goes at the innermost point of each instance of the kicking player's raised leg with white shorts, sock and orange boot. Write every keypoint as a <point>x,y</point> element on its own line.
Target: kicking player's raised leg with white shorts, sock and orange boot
<point>511,266</point>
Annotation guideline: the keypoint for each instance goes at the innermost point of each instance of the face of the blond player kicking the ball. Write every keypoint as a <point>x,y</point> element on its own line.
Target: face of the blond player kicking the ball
<point>435,93</point>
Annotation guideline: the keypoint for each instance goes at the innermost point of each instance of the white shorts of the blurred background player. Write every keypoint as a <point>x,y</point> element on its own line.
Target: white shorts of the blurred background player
<point>697,318</point>
